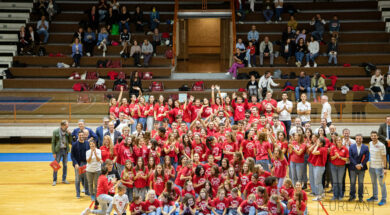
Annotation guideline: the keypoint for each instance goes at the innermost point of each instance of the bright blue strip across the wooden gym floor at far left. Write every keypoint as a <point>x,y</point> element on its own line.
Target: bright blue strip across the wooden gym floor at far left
<point>27,157</point>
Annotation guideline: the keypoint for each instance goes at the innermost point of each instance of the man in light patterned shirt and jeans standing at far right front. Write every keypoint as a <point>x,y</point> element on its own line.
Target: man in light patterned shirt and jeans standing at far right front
<point>377,168</point>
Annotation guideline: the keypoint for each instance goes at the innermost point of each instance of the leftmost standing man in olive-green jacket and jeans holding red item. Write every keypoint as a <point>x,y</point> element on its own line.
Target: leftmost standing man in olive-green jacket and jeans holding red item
<point>60,148</point>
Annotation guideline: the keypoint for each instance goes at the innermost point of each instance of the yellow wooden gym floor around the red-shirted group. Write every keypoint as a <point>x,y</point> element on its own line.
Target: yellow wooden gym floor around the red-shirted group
<point>25,188</point>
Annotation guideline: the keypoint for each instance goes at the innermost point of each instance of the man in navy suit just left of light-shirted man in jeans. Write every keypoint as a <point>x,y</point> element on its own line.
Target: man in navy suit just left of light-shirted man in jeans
<point>358,157</point>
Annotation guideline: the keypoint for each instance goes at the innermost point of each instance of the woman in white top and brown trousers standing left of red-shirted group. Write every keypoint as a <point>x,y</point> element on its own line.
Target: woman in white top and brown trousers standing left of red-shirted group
<point>94,165</point>
